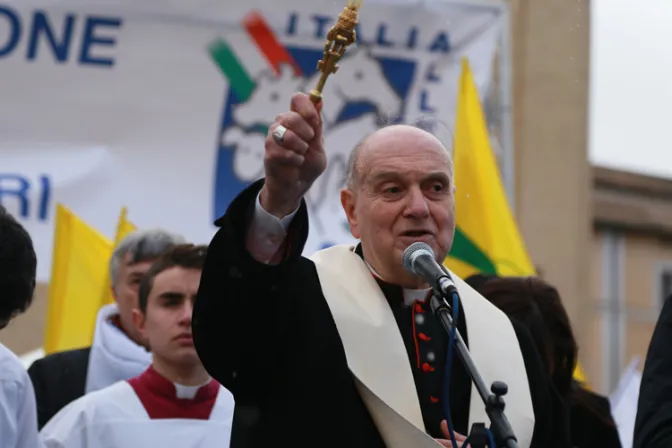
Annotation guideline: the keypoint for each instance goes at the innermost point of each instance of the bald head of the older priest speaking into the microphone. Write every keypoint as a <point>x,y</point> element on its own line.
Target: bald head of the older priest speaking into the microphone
<point>402,193</point>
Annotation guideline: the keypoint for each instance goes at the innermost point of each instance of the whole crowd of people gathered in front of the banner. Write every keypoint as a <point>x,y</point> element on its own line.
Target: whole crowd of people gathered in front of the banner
<point>247,343</point>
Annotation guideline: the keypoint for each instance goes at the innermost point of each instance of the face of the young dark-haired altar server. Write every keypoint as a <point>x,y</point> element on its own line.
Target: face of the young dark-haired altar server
<point>166,323</point>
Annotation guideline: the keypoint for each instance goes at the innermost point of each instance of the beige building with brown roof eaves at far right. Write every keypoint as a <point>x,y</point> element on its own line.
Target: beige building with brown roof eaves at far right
<point>631,270</point>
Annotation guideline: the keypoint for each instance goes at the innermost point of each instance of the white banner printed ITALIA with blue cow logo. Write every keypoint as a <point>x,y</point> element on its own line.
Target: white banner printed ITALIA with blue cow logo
<point>162,106</point>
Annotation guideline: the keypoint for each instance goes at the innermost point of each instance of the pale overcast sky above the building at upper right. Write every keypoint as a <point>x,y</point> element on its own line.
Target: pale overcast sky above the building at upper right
<point>631,85</point>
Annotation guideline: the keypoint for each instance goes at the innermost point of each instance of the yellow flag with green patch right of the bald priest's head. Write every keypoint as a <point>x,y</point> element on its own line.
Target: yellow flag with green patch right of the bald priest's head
<point>487,239</point>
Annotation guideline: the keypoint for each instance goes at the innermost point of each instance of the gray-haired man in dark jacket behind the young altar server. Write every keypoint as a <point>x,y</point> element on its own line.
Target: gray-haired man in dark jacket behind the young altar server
<point>118,351</point>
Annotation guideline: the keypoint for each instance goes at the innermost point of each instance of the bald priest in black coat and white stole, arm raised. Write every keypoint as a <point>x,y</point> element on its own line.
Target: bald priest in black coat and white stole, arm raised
<point>298,358</point>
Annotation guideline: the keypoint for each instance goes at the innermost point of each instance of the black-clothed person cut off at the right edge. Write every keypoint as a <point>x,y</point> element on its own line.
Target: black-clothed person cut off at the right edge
<point>653,425</point>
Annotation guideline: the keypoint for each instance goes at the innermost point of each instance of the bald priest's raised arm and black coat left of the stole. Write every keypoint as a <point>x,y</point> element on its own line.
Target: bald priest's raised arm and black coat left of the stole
<point>259,324</point>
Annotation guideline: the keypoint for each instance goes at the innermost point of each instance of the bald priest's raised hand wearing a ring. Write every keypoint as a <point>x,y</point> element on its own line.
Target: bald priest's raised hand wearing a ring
<point>294,156</point>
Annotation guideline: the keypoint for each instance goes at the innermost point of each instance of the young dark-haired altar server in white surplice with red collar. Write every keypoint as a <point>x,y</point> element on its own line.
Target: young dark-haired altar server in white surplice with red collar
<point>174,403</point>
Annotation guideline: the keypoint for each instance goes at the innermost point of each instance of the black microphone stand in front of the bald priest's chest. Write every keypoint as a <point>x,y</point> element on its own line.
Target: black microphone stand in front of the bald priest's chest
<point>492,399</point>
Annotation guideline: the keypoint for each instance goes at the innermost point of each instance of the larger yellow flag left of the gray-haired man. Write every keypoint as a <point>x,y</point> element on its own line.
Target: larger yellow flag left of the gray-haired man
<point>79,268</point>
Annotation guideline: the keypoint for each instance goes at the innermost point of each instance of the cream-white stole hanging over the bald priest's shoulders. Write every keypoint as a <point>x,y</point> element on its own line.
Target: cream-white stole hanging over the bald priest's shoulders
<point>377,355</point>
